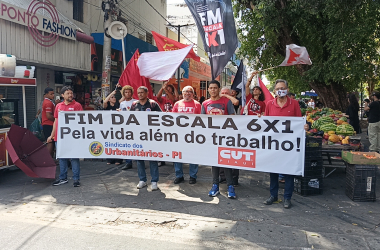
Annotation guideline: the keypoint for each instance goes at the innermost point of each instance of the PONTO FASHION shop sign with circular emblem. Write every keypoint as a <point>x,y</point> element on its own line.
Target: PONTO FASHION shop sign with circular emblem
<point>37,23</point>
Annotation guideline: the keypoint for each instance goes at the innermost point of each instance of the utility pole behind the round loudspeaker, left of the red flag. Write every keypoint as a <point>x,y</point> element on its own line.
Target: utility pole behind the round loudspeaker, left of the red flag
<point>106,64</point>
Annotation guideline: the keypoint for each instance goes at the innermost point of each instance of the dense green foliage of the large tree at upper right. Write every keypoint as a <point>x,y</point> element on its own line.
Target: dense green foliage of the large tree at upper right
<point>341,36</point>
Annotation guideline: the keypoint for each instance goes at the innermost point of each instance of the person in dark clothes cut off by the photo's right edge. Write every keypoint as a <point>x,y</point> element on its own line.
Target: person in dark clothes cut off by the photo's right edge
<point>374,122</point>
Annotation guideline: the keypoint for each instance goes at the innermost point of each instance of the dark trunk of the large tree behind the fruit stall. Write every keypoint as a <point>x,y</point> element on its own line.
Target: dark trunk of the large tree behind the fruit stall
<point>332,96</point>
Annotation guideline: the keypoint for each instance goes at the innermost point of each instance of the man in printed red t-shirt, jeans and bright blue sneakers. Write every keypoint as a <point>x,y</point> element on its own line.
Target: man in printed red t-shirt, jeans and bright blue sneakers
<point>218,105</point>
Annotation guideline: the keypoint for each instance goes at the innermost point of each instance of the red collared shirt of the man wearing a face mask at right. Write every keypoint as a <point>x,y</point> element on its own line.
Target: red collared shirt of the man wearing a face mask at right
<point>291,108</point>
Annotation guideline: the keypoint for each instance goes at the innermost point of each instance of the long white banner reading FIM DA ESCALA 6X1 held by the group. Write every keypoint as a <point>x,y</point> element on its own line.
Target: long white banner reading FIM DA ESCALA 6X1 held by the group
<point>266,144</point>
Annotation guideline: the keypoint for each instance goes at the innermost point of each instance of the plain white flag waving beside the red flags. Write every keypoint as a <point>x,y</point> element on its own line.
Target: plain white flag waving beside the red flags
<point>161,65</point>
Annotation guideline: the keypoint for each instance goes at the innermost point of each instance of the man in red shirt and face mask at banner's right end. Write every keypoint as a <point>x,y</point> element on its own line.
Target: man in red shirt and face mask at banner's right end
<point>282,105</point>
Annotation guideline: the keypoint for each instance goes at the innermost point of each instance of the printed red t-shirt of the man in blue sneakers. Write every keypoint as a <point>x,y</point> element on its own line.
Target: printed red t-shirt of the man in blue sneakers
<point>223,106</point>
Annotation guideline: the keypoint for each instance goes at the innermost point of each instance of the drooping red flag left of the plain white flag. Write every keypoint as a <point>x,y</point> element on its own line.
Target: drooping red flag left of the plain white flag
<point>131,76</point>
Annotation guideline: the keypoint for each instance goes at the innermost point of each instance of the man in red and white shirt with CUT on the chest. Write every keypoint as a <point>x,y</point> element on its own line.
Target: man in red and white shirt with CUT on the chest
<point>189,106</point>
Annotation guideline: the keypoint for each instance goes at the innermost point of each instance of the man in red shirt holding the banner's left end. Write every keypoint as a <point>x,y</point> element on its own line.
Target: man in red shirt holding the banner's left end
<point>68,104</point>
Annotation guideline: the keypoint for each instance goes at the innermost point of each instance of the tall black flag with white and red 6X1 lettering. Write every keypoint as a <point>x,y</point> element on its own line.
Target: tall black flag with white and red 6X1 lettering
<point>216,24</point>
